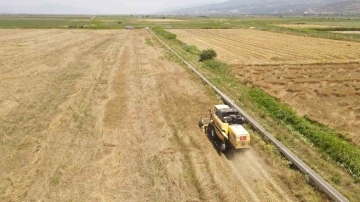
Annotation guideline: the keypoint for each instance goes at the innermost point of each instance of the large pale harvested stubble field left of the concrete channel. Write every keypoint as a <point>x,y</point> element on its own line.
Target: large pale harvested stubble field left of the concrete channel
<point>104,116</point>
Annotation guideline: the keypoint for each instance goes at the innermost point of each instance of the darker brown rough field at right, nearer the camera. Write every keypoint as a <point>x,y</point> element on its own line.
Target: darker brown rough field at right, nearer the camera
<point>329,94</point>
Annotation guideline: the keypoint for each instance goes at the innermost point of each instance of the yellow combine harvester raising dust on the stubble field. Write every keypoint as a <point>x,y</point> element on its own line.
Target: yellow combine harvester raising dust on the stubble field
<point>225,126</point>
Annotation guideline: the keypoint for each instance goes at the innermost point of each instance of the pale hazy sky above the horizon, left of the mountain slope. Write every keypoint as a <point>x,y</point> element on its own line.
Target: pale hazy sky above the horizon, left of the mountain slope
<point>94,6</point>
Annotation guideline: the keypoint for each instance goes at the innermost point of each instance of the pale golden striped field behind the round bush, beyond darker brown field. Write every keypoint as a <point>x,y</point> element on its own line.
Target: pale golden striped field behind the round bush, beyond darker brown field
<point>247,46</point>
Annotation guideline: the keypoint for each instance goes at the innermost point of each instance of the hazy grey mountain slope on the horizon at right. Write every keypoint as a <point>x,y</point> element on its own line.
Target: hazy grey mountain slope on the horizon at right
<point>241,7</point>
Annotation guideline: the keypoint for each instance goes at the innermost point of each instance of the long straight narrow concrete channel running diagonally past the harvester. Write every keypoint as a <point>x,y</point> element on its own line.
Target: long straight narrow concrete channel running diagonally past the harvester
<point>306,170</point>
